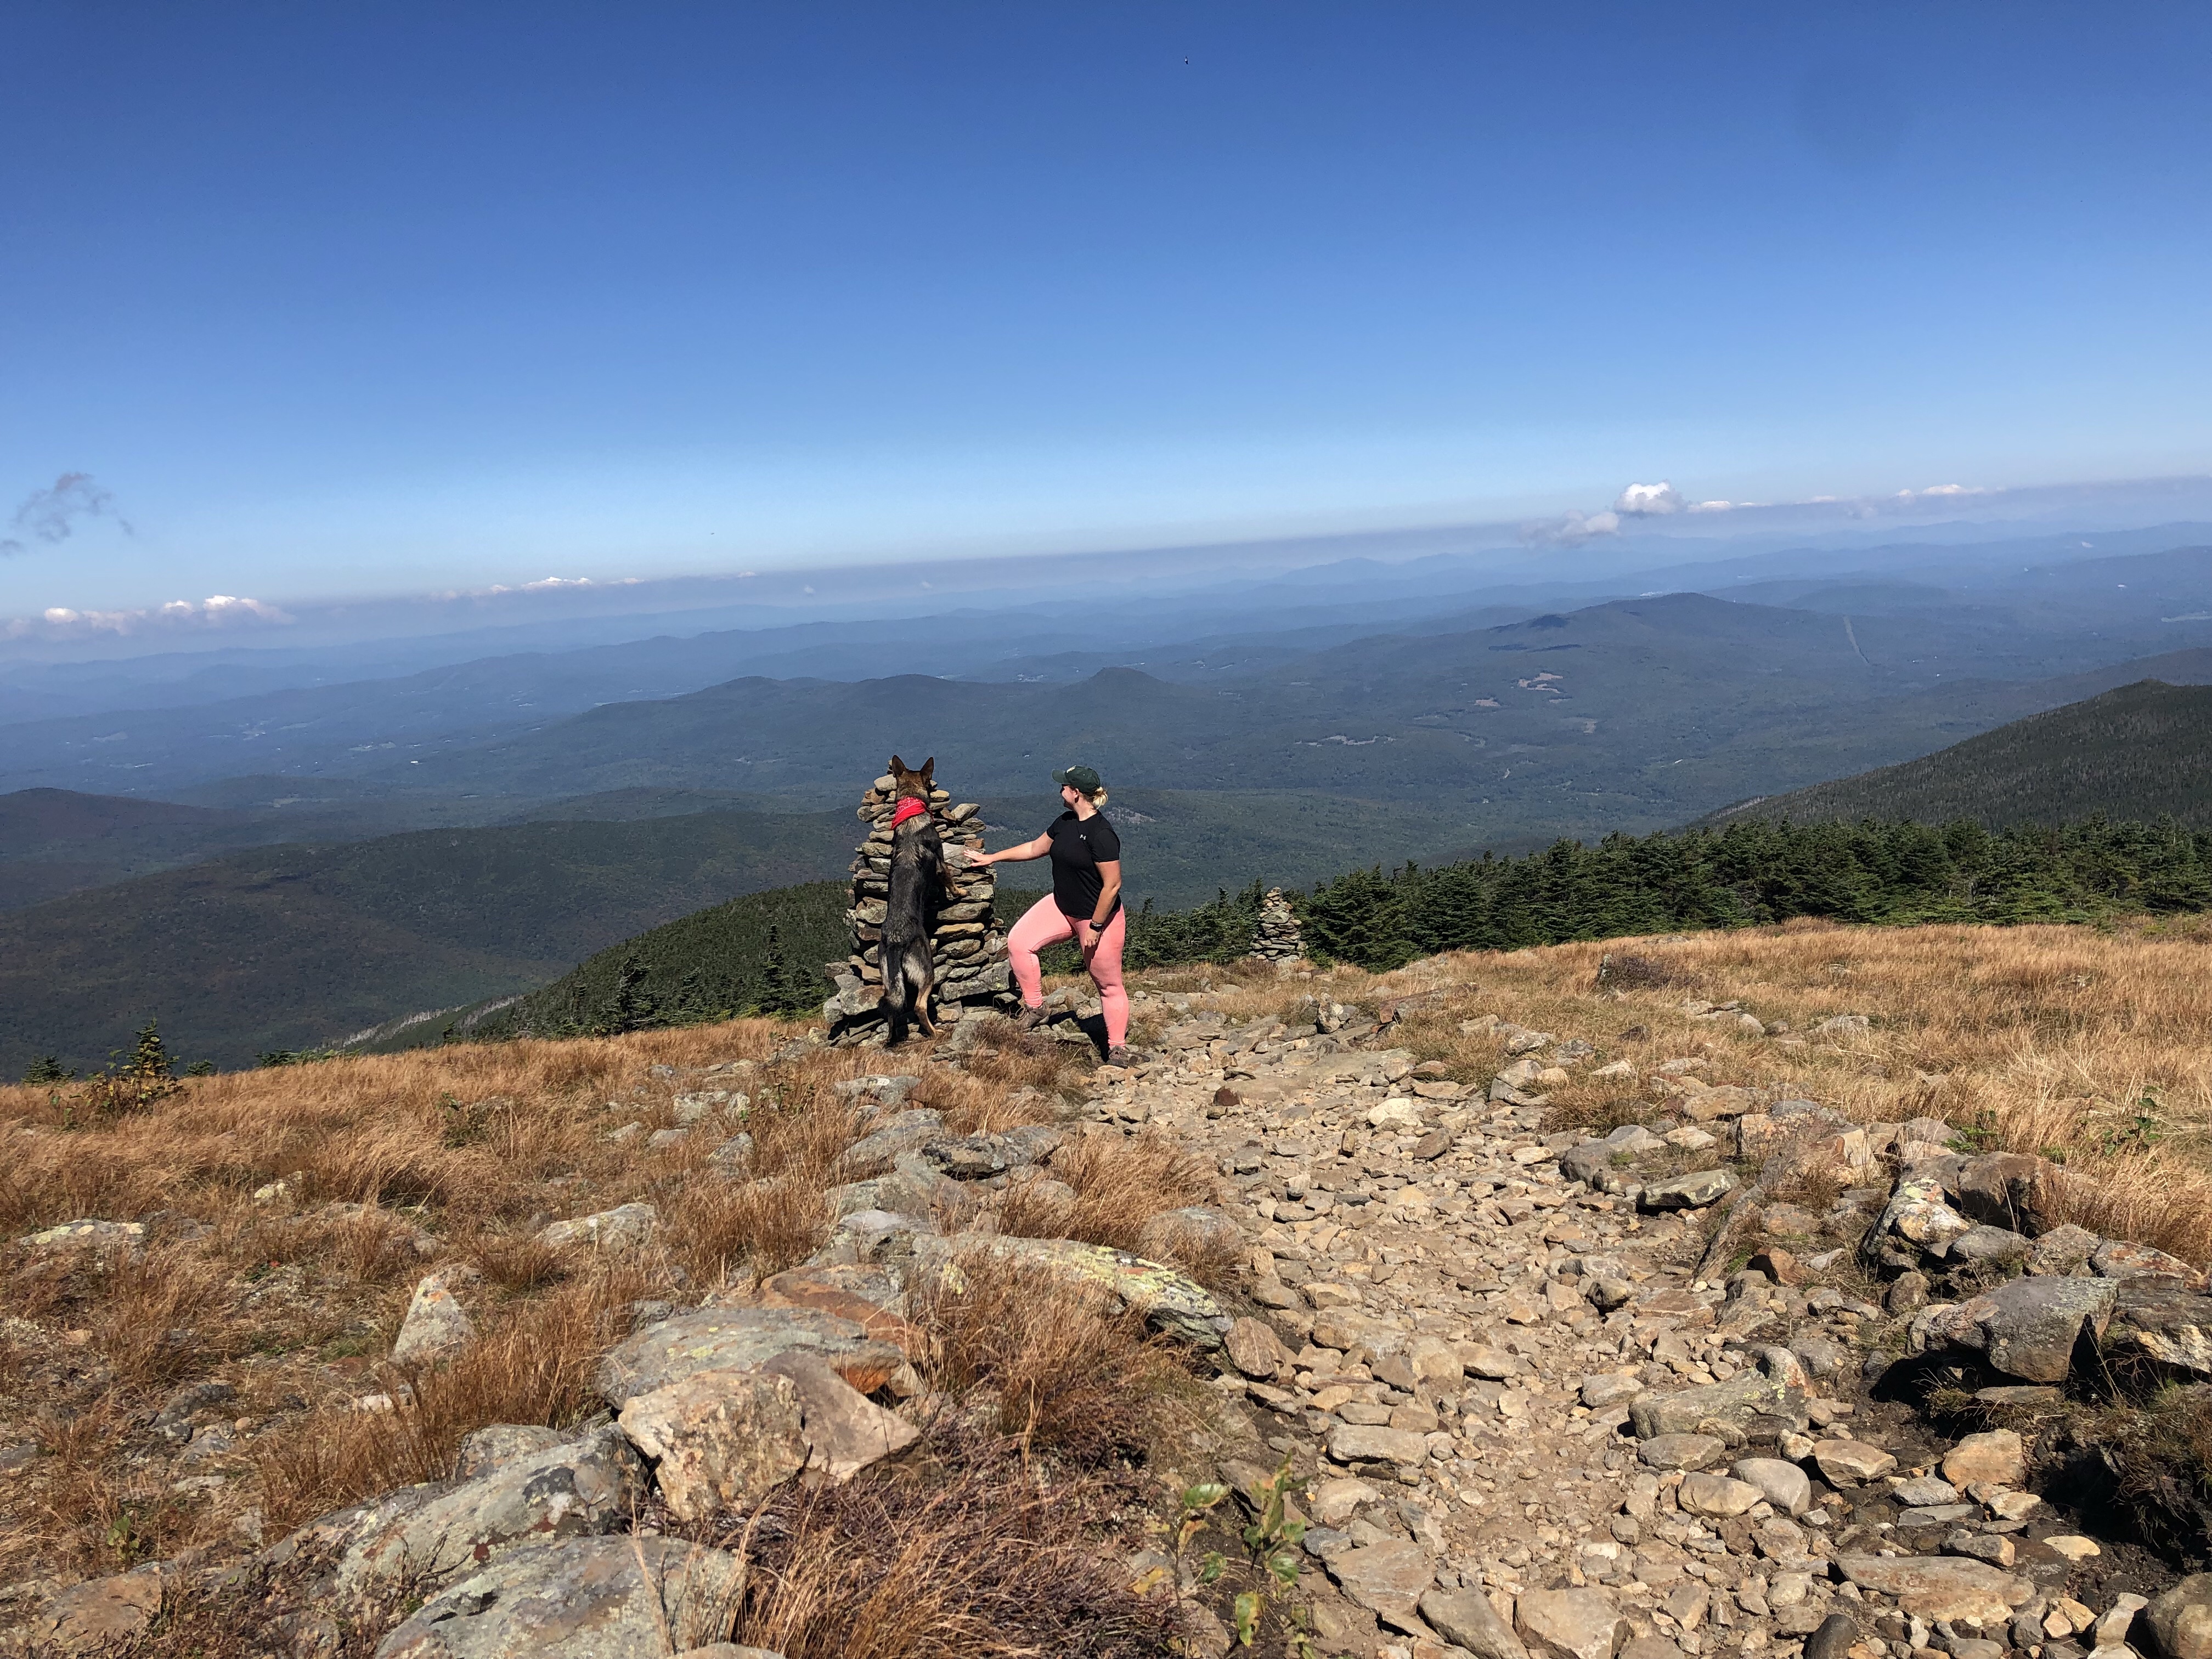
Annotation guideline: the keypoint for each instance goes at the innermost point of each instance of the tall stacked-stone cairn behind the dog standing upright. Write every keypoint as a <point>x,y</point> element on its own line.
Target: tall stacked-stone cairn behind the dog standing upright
<point>968,950</point>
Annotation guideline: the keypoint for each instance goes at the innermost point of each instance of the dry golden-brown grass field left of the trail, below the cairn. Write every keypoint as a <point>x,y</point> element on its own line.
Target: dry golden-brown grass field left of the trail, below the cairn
<point>295,1297</point>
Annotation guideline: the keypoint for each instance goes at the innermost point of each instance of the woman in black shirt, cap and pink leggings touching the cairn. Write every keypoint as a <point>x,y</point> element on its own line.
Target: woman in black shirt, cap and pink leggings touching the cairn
<point>1085,906</point>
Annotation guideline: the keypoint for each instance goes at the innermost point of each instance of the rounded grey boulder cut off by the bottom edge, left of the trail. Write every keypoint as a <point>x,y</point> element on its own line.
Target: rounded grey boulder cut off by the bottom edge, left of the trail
<point>585,1598</point>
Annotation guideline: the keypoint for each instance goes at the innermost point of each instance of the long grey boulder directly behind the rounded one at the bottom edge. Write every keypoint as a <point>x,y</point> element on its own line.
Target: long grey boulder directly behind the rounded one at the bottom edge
<point>435,1534</point>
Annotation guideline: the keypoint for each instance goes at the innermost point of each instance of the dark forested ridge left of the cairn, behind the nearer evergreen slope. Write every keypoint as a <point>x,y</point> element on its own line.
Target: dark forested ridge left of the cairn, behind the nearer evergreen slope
<point>302,946</point>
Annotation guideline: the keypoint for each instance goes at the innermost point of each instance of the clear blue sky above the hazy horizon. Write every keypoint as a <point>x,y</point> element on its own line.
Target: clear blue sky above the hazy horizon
<point>386,298</point>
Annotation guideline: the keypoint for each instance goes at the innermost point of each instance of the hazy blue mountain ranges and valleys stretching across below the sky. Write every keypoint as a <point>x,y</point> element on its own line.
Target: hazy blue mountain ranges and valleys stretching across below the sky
<point>289,866</point>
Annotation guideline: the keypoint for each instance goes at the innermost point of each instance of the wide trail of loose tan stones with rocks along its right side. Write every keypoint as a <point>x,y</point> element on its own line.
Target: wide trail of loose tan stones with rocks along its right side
<point>1530,1426</point>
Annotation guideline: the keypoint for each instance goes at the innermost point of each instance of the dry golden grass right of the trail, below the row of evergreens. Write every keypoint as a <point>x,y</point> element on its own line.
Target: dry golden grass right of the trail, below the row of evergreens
<point>2078,1043</point>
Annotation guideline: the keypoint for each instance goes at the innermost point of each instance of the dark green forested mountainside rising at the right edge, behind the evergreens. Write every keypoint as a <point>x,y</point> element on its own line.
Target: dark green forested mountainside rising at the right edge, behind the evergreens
<point>2133,753</point>
